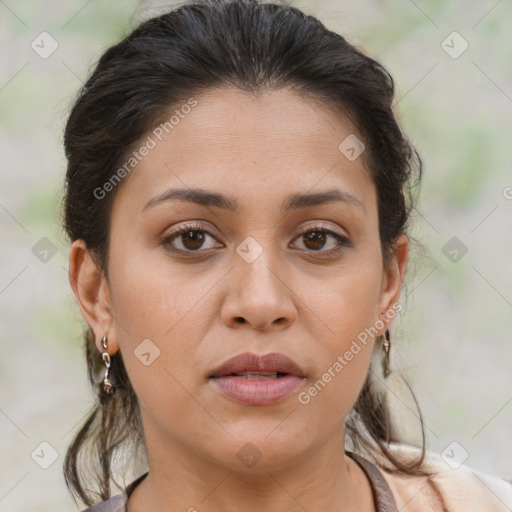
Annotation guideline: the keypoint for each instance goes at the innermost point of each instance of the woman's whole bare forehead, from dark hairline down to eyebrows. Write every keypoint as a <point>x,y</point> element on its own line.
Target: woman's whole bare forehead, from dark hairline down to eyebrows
<point>256,146</point>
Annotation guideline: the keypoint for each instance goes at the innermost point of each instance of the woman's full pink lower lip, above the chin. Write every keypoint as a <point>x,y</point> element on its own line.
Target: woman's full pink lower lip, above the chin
<point>258,392</point>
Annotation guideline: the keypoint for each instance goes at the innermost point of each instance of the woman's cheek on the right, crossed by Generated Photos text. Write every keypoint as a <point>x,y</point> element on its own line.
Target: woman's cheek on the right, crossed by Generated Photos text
<point>345,313</point>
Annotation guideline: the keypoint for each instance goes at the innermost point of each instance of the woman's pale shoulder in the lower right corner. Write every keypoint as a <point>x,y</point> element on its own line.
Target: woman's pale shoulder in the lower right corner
<point>458,489</point>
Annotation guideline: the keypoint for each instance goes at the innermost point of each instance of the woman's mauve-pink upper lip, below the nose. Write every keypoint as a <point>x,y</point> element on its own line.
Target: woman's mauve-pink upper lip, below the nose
<point>254,363</point>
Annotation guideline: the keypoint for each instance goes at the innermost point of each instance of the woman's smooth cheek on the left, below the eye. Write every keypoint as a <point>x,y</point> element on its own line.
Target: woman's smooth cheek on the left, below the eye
<point>160,319</point>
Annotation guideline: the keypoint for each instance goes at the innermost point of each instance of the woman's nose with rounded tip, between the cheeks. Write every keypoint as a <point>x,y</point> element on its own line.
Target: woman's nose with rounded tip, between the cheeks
<point>260,296</point>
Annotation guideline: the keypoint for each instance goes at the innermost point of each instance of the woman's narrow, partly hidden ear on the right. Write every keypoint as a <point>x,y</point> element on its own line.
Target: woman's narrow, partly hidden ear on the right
<point>392,281</point>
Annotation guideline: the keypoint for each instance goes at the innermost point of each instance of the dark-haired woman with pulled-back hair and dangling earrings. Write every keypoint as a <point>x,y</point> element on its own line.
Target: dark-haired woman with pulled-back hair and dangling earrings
<point>237,198</point>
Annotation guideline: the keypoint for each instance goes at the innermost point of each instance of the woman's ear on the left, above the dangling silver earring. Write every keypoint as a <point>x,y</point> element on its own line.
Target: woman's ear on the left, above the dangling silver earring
<point>90,287</point>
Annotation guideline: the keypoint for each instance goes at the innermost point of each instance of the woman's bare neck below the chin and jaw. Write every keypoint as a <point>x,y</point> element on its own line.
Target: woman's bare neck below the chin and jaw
<point>179,480</point>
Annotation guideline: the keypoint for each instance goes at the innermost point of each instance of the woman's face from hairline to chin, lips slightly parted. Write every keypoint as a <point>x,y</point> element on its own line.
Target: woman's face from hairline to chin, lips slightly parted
<point>265,270</point>
